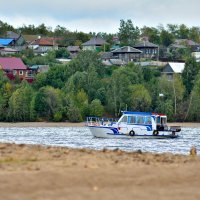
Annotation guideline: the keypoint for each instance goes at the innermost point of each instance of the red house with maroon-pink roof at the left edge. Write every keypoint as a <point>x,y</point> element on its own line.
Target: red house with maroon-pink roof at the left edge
<point>13,67</point>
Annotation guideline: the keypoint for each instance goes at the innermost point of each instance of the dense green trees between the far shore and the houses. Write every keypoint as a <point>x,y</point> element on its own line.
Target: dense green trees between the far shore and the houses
<point>86,87</point>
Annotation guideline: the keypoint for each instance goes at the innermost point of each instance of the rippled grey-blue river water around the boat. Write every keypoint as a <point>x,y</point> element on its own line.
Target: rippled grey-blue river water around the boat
<point>80,137</point>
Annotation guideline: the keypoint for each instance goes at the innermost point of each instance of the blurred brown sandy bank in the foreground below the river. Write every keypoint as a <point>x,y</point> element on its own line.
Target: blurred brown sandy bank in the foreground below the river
<point>32,172</point>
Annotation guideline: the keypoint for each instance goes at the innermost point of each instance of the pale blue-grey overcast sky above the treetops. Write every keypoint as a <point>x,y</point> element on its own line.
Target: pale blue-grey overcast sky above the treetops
<point>99,15</point>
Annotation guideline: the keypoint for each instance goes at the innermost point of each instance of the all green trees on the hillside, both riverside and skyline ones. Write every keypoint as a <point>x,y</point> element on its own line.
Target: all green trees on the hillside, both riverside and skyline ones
<point>85,87</point>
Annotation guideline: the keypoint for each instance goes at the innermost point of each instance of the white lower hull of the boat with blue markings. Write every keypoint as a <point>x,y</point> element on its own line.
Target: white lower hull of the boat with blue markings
<point>113,132</point>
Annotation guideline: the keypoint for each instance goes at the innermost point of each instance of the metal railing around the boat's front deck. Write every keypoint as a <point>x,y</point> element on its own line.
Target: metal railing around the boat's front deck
<point>100,121</point>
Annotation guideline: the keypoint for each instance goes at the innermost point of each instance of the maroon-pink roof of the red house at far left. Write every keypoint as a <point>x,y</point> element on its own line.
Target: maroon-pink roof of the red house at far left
<point>12,63</point>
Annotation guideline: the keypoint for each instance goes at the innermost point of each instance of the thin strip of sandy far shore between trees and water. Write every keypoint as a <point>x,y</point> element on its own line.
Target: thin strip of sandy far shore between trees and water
<point>80,124</point>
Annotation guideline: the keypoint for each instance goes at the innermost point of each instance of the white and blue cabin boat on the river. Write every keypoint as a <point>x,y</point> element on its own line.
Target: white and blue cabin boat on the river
<point>133,125</point>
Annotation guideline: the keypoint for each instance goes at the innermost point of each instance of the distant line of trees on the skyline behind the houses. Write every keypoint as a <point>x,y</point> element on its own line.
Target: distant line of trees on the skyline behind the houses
<point>128,33</point>
